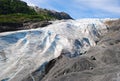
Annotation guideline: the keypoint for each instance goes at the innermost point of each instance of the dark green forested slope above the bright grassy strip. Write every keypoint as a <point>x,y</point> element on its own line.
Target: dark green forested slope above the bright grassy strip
<point>15,6</point>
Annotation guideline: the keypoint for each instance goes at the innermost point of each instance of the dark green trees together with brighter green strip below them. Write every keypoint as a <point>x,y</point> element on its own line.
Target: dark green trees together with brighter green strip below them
<point>16,11</point>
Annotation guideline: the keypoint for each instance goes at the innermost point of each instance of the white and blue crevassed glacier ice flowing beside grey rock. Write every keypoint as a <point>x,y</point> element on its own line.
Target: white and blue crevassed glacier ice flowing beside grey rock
<point>22,52</point>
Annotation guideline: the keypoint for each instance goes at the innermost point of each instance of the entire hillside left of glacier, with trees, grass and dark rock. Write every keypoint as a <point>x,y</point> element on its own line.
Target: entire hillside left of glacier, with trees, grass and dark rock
<point>17,15</point>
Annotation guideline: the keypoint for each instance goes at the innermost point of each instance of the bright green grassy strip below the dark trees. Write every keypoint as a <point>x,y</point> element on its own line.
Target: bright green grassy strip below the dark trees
<point>12,18</point>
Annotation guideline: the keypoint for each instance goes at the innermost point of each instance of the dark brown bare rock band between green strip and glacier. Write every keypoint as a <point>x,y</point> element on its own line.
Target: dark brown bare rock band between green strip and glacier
<point>6,27</point>
